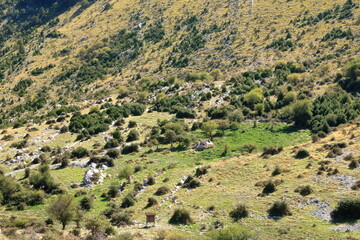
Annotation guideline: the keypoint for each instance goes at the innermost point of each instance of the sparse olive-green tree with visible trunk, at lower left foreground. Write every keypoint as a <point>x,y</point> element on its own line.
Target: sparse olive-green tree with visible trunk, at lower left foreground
<point>63,209</point>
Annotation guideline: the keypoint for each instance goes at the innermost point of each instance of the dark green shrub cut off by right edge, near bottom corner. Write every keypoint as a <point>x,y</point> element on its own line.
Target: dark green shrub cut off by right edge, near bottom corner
<point>348,209</point>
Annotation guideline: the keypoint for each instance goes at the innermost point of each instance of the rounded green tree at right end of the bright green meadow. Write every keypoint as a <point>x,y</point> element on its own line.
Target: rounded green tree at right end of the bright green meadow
<point>302,112</point>
